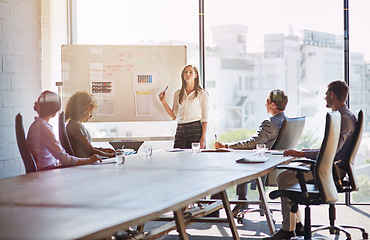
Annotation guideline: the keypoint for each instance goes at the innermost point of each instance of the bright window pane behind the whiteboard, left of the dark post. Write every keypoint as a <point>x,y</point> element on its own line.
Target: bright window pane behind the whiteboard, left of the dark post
<point>132,22</point>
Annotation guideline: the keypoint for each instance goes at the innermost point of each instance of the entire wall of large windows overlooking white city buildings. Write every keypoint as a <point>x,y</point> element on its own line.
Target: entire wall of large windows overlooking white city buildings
<point>251,48</point>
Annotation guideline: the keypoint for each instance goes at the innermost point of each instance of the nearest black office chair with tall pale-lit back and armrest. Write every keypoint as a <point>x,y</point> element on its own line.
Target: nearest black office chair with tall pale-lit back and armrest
<point>323,190</point>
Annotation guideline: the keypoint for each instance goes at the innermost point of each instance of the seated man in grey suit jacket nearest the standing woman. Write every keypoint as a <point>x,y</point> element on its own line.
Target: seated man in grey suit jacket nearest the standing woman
<point>266,133</point>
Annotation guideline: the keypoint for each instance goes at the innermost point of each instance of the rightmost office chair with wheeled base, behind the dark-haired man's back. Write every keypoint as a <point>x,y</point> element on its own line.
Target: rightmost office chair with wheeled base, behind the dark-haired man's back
<point>348,184</point>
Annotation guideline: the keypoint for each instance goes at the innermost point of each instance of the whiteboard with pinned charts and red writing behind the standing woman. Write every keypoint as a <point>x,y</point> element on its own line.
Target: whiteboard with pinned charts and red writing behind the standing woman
<point>125,80</point>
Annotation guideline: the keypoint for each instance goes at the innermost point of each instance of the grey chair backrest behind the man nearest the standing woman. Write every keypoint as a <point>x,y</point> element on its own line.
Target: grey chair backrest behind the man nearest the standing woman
<point>289,134</point>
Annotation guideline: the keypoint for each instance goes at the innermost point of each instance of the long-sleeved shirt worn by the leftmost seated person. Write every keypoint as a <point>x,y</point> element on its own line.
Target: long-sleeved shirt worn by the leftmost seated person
<point>45,148</point>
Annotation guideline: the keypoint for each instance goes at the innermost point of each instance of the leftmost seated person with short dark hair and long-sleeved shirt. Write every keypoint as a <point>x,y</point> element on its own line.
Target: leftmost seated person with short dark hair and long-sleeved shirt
<point>45,148</point>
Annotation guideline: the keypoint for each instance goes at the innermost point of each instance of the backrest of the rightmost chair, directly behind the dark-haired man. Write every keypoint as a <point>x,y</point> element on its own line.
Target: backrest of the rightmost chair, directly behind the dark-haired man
<point>351,155</point>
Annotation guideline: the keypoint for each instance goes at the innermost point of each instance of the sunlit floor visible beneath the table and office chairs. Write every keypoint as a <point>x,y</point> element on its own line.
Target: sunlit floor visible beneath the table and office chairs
<point>254,226</point>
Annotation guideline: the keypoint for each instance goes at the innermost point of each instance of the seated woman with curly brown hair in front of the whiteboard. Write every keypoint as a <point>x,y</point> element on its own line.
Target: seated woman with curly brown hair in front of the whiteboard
<point>80,107</point>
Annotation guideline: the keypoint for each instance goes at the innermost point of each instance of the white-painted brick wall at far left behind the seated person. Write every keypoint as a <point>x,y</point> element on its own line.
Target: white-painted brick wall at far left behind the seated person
<point>20,77</point>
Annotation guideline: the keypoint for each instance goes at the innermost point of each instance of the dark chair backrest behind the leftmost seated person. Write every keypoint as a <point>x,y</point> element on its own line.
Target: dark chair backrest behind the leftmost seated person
<point>24,150</point>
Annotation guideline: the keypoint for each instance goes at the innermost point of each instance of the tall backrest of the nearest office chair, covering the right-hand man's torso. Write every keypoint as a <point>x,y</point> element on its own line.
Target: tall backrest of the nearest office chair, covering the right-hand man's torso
<point>324,164</point>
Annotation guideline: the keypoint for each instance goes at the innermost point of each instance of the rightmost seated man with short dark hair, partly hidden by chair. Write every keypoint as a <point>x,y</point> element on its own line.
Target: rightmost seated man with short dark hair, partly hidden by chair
<point>336,96</point>
